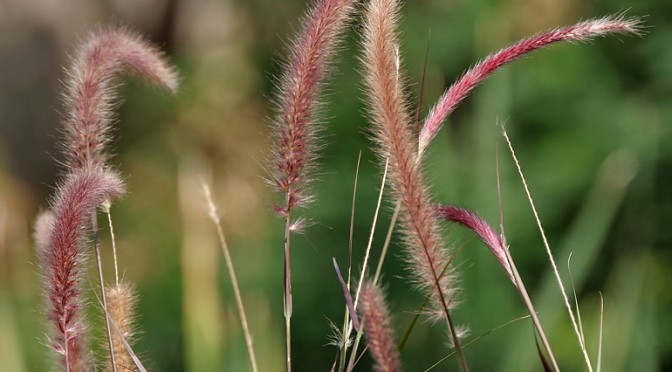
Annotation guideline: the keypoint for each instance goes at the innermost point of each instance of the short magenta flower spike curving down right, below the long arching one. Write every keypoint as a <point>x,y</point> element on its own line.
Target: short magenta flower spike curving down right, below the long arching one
<point>484,231</point>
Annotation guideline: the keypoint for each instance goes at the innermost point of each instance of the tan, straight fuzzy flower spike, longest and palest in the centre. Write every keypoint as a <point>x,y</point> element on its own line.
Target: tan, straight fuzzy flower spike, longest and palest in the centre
<point>391,131</point>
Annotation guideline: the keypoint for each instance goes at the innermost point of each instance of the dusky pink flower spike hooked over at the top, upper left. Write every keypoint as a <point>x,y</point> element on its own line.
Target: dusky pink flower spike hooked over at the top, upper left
<point>90,97</point>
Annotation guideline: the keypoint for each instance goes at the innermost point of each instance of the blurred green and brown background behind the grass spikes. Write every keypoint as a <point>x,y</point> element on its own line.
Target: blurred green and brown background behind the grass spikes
<point>589,123</point>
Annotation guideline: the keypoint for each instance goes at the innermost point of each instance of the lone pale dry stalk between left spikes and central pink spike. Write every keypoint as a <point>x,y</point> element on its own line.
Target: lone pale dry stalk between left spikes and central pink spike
<point>214,216</point>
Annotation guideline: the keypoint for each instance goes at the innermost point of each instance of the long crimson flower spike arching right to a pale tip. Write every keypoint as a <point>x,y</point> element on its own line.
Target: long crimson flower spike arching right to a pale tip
<point>581,31</point>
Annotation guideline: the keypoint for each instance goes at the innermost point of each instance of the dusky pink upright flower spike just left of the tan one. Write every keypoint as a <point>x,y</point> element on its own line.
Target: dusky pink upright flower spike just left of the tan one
<point>298,98</point>
